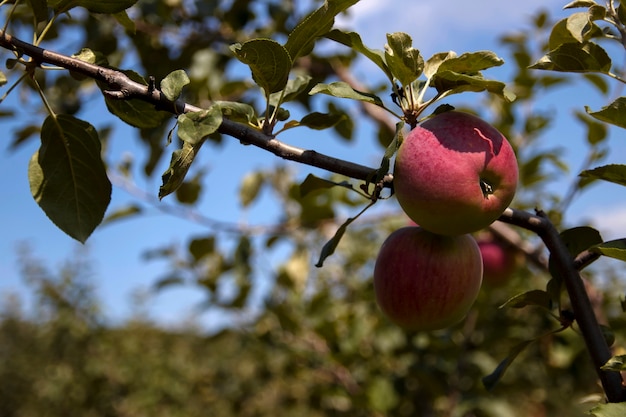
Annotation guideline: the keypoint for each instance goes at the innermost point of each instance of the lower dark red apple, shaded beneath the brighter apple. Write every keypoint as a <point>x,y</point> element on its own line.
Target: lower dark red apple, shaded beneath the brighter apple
<point>425,281</point>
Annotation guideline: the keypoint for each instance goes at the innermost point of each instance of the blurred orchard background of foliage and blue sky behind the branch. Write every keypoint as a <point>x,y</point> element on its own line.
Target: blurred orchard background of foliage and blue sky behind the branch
<point>264,331</point>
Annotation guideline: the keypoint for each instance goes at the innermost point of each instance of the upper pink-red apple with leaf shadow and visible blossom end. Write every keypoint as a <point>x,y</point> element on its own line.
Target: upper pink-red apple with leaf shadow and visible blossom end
<point>438,172</point>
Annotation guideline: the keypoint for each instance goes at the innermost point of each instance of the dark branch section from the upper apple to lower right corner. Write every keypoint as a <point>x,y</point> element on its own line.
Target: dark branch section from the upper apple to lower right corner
<point>583,311</point>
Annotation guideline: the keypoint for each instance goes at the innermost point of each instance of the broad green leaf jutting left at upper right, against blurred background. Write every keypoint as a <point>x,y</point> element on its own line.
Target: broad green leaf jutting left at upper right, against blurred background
<point>573,57</point>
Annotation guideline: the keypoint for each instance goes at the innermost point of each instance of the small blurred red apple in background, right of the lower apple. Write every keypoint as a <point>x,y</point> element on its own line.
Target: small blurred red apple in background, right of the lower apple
<point>499,261</point>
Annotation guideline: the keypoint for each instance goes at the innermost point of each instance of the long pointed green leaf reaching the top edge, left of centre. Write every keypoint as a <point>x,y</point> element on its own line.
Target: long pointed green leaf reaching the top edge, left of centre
<point>318,23</point>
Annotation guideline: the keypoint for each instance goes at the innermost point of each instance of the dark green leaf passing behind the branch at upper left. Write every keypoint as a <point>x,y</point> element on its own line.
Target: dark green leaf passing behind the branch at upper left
<point>135,112</point>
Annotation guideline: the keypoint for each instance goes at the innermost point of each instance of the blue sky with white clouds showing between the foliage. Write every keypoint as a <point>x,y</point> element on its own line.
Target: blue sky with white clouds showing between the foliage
<point>116,250</point>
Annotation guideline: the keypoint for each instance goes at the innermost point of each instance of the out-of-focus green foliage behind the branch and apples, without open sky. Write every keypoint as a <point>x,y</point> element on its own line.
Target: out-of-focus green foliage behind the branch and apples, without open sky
<point>304,341</point>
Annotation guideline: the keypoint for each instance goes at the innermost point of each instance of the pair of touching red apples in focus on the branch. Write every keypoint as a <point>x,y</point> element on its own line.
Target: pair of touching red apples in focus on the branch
<point>454,174</point>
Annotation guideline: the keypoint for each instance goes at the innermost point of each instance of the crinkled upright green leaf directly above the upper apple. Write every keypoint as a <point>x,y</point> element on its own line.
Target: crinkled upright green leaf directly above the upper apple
<point>404,61</point>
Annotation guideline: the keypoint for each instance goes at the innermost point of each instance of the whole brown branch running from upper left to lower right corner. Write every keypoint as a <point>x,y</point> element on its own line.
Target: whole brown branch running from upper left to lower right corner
<point>123,87</point>
